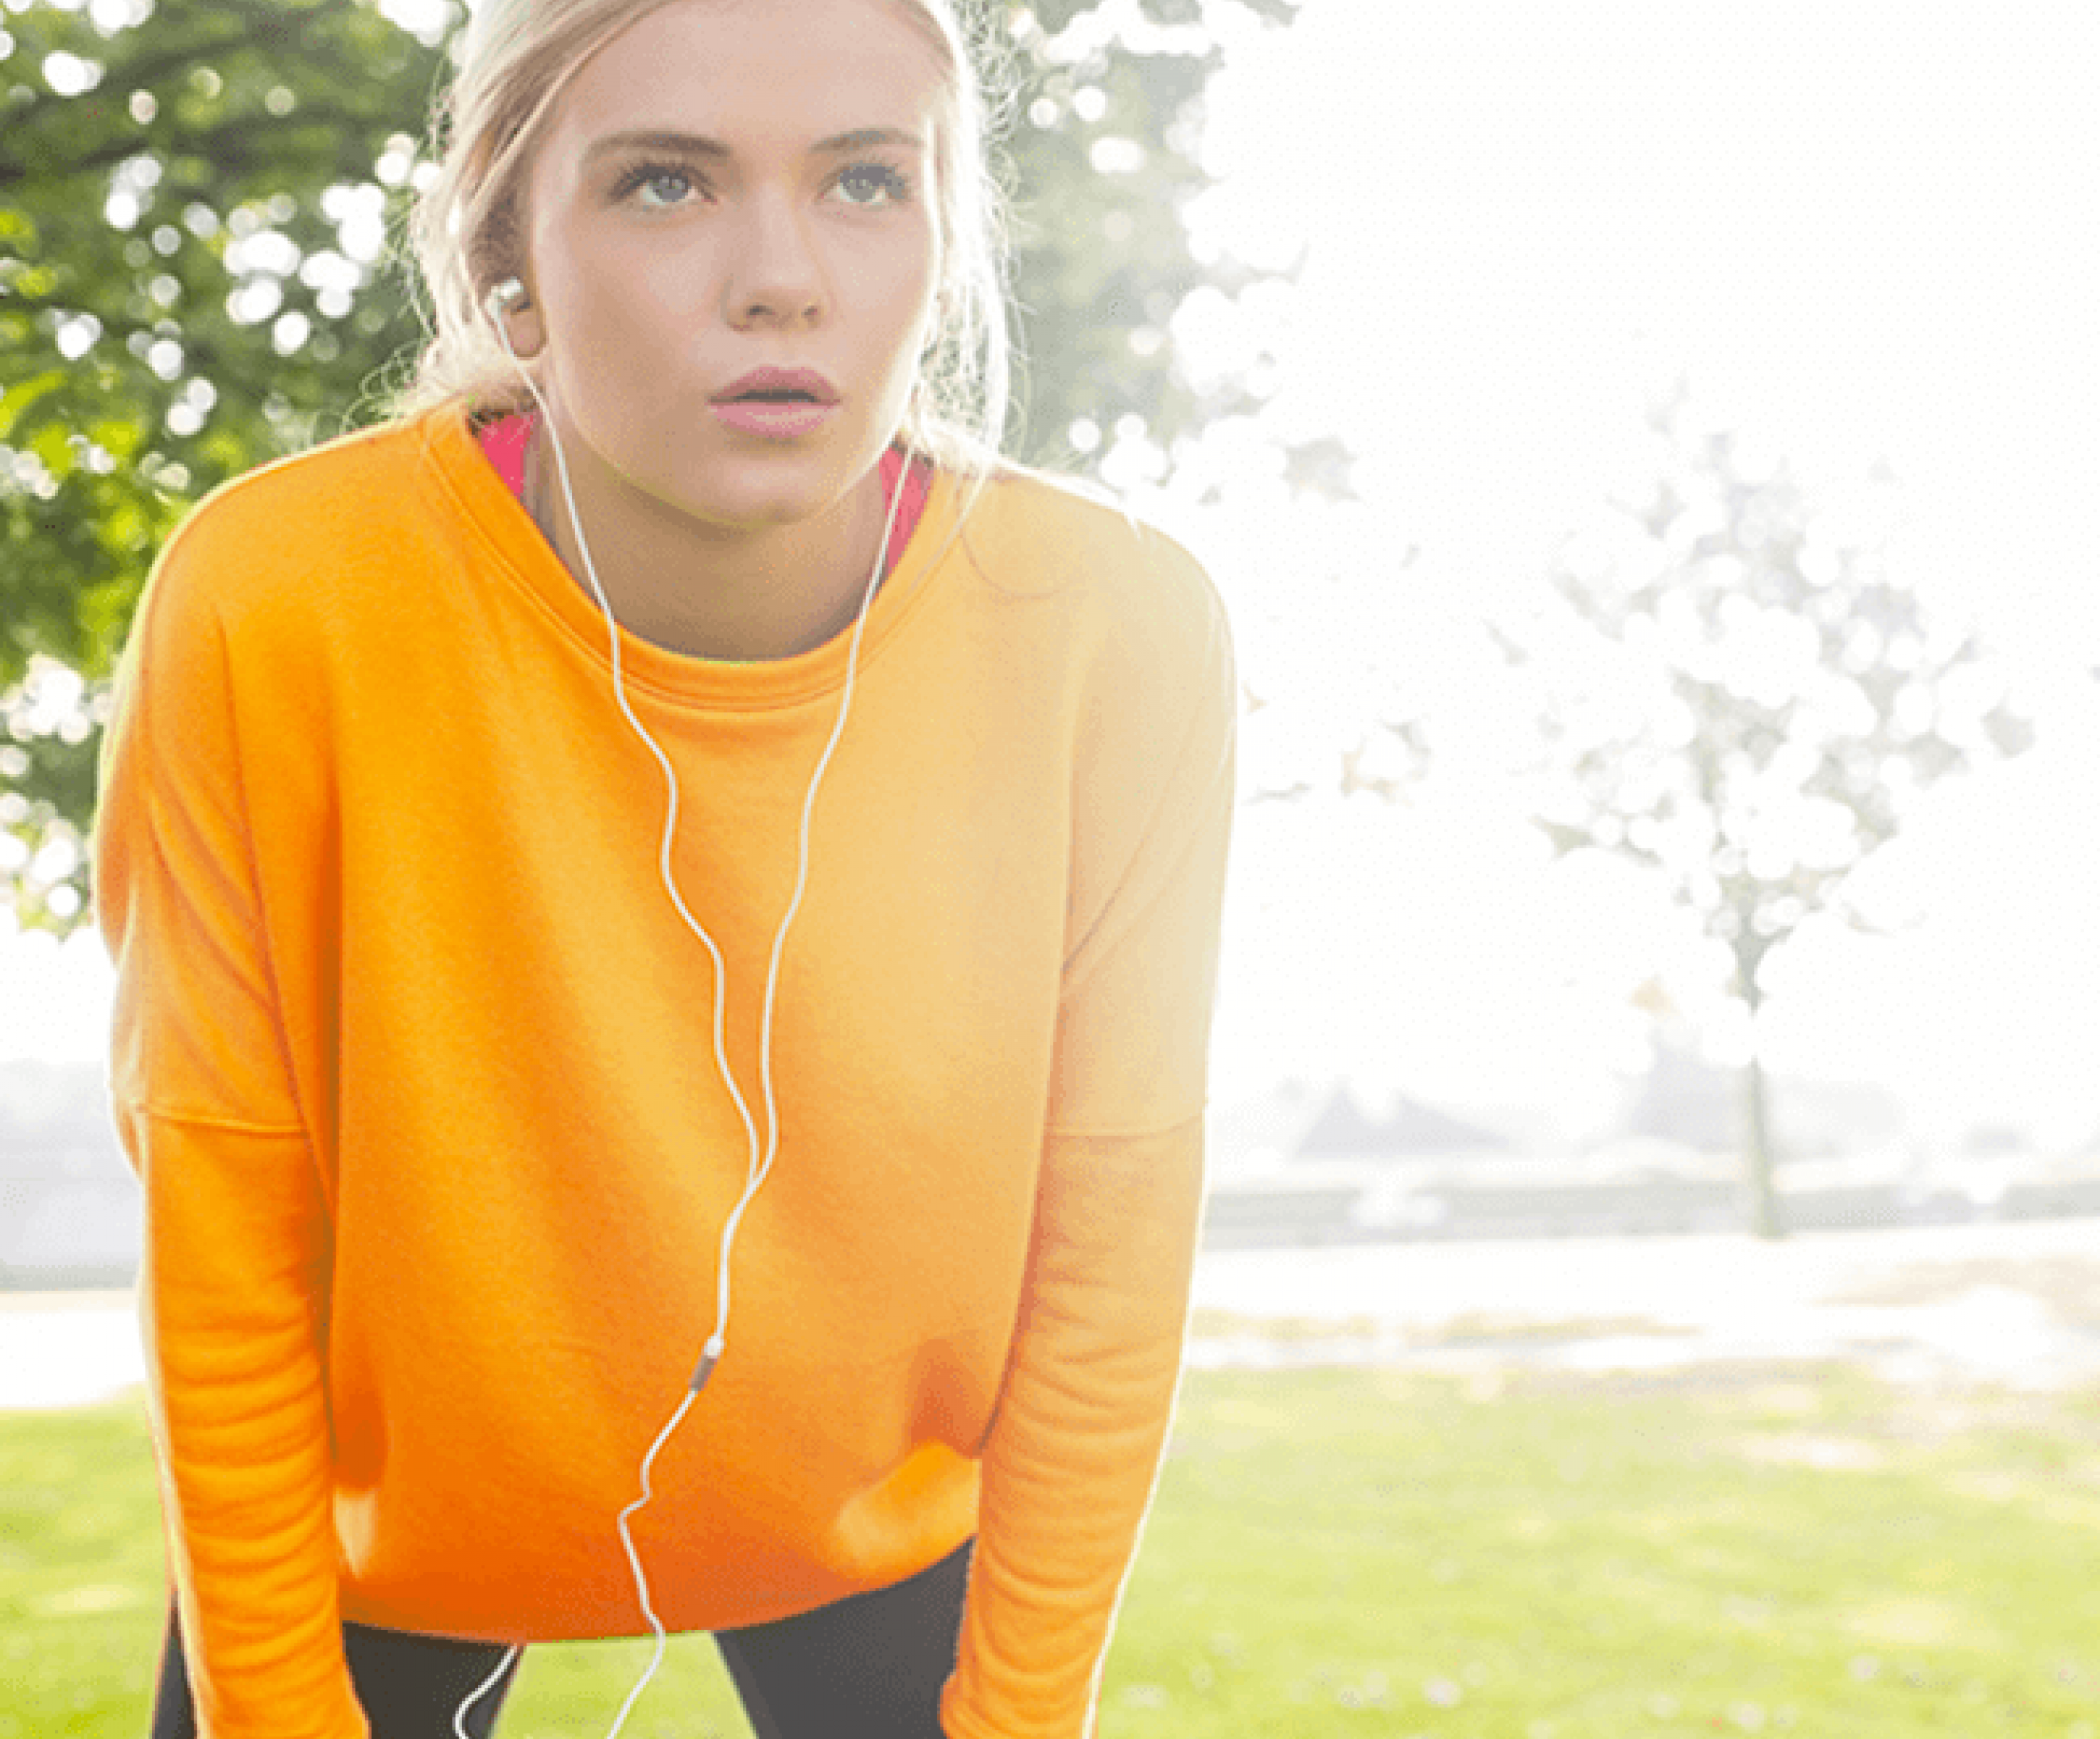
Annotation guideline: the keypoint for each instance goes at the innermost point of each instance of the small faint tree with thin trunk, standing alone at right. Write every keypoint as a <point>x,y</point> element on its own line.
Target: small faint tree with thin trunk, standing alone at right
<point>1740,696</point>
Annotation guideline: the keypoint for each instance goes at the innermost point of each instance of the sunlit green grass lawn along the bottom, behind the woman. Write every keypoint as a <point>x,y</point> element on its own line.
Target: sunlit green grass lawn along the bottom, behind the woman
<point>1374,1553</point>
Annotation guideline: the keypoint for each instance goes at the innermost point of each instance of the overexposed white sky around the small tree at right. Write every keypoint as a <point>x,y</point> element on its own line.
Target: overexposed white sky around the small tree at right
<point>1864,232</point>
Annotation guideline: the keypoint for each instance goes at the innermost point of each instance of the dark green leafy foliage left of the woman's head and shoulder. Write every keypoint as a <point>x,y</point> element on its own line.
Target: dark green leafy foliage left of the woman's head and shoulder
<point>194,201</point>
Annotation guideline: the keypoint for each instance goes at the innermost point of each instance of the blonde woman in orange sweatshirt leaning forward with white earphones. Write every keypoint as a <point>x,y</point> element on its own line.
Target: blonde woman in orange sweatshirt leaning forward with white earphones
<point>667,908</point>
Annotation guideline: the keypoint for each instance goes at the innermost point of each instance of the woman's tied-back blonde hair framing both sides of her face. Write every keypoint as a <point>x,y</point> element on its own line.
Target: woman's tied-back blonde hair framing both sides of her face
<point>467,228</point>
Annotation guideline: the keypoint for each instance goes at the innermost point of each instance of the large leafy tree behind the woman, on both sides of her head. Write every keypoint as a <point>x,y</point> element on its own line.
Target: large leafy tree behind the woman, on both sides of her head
<point>196,209</point>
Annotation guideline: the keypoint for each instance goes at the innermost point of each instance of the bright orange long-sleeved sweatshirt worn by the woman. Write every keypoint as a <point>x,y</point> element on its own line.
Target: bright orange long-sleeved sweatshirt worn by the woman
<point>415,1062</point>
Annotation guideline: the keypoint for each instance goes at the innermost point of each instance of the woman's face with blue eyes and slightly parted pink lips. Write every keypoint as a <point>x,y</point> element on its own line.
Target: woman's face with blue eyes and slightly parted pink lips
<point>726,188</point>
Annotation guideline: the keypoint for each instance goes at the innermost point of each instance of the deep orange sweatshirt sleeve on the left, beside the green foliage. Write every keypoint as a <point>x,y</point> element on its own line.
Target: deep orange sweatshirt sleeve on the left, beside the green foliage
<point>236,1221</point>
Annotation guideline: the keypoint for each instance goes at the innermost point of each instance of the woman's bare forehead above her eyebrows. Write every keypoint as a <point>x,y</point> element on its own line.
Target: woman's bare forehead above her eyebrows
<point>759,75</point>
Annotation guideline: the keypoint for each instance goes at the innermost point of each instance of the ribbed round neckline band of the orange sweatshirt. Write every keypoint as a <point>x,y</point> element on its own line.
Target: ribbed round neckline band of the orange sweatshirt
<point>532,564</point>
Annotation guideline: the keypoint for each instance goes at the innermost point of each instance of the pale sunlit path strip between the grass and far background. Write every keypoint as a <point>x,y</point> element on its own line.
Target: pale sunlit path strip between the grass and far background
<point>2015,1305</point>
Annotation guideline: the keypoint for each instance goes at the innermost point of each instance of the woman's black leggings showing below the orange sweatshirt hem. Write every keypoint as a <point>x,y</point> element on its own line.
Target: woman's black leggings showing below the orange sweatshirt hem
<point>870,1667</point>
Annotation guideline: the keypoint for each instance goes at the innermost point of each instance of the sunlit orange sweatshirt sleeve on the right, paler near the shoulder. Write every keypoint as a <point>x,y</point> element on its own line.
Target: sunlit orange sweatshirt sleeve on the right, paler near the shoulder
<point>1078,1438</point>
